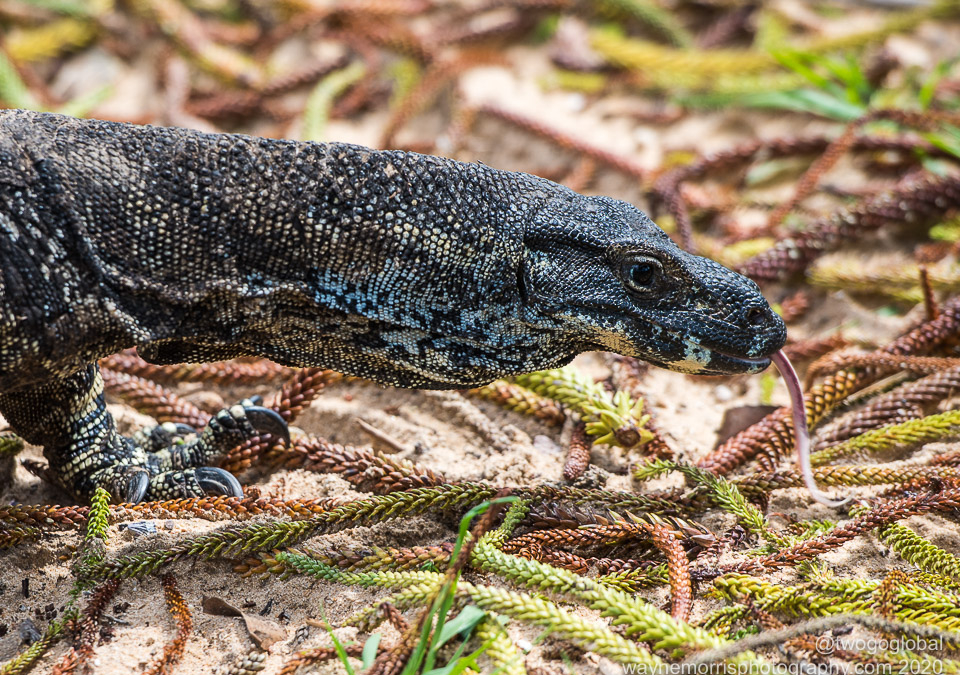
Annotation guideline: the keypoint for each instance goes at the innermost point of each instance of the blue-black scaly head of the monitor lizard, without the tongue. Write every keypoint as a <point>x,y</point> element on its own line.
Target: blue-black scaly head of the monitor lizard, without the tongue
<point>606,273</point>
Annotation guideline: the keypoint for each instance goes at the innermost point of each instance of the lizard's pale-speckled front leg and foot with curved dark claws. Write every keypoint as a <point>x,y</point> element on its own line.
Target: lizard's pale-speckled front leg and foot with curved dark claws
<point>69,419</point>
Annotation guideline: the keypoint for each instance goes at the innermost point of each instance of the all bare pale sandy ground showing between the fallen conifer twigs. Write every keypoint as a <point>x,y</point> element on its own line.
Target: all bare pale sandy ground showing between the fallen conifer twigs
<point>465,438</point>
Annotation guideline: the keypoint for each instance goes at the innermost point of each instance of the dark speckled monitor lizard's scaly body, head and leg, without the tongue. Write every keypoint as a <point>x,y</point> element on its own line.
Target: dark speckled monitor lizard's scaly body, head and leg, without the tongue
<point>406,269</point>
